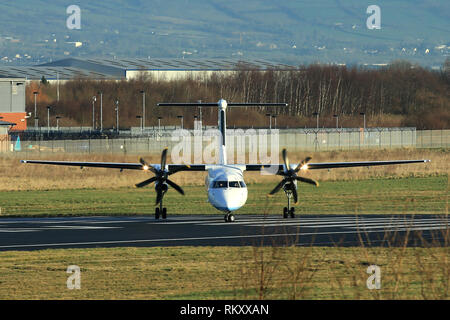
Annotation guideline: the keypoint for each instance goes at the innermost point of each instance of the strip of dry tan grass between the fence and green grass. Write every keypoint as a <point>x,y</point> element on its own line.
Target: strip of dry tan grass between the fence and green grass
<point>16,176</point>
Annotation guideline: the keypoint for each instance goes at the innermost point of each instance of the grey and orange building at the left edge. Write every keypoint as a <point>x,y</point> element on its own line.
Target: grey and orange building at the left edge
<point>12,102</point>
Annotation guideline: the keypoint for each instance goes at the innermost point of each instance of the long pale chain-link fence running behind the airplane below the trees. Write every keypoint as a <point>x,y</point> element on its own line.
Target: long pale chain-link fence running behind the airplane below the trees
<point>247,139</point>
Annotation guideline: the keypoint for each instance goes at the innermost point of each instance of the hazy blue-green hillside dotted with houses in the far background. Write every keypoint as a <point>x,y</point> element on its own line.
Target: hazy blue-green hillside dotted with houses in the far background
<point>295,32</point>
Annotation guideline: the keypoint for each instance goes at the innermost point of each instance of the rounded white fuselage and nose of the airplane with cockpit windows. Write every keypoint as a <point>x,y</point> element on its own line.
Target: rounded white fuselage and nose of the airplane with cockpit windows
<point>226,188</point>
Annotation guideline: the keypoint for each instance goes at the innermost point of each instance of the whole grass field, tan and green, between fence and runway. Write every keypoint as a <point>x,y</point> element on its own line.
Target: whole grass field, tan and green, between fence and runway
<point>49,190</point>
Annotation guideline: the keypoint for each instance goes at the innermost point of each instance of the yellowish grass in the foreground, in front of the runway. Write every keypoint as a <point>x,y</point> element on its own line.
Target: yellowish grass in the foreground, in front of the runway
<point>226,273</point>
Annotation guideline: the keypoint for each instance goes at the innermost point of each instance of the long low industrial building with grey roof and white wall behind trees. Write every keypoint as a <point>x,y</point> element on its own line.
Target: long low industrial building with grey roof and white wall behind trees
<point>121,69</point>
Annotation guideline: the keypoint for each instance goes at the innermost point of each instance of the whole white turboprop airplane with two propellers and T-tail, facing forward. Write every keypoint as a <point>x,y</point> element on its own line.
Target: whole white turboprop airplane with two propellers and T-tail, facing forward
<point>225,184</point>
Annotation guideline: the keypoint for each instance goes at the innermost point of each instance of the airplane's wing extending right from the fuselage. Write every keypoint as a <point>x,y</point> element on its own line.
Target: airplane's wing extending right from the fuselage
<point>332,165</point>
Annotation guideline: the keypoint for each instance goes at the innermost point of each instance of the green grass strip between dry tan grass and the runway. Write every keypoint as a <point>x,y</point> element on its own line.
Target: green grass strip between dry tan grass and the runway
<point>414,195</point>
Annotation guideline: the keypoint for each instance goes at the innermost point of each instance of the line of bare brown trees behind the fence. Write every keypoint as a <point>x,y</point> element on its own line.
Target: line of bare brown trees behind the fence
<point>400,94</point>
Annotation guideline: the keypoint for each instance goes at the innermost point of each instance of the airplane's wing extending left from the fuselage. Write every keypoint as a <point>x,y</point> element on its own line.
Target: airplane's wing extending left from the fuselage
<point>118,165</point>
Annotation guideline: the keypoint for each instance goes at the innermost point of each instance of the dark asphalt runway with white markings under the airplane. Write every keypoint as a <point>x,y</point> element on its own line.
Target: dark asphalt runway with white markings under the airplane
<point>212,230</point>
